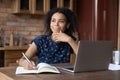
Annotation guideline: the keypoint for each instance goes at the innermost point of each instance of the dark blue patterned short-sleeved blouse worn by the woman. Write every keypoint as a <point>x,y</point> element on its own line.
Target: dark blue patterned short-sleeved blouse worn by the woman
<point>50,51</point>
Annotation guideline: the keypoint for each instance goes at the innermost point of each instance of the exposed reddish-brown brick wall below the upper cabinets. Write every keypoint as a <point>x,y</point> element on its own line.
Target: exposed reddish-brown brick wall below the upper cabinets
<point>25,25</point>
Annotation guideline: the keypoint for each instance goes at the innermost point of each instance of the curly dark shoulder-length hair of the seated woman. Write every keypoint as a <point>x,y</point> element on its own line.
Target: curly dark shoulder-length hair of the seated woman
<point>70,18</point>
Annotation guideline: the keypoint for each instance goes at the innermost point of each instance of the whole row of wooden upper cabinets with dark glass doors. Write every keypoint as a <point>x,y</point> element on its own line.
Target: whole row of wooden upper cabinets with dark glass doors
<point>39,6</point>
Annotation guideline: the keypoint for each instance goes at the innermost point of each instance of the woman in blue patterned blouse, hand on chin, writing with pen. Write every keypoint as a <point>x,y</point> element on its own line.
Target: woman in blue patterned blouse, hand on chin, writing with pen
<point>58,42</point>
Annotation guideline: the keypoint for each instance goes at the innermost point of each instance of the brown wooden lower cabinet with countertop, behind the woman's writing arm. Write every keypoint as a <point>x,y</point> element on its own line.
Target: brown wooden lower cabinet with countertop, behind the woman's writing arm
<point>11,54</point>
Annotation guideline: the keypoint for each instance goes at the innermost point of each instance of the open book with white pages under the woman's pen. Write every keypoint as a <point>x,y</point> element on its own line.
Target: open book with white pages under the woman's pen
<point>41,68</point>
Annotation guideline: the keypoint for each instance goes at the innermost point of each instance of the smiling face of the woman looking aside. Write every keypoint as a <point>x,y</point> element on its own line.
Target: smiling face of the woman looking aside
<point>58,22</point>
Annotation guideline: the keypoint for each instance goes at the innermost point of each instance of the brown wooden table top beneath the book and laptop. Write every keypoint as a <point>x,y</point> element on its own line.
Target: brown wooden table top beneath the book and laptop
<point>98,75</point>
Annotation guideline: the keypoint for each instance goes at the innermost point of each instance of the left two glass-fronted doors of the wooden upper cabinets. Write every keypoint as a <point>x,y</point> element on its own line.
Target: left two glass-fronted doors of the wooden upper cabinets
<point>29,6</point>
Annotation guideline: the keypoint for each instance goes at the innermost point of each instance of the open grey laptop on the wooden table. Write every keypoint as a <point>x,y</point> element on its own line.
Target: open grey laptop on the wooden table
<point>91,56</point>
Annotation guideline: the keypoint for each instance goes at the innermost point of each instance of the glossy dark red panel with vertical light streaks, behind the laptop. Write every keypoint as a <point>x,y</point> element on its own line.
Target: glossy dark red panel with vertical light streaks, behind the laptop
<point>98,20</point>
